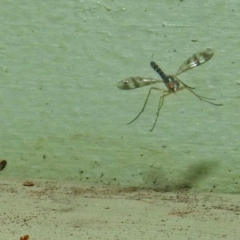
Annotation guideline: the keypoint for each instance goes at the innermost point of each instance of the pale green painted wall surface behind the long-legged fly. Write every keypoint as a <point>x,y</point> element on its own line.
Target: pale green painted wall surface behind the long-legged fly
<point>63,118</point>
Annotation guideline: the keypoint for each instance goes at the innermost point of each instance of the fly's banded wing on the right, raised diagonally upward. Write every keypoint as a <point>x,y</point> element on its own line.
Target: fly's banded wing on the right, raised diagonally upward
<point>196,60</point>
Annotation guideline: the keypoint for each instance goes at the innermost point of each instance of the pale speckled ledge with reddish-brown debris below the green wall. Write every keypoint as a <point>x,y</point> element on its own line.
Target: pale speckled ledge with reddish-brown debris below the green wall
<point>58,210</point>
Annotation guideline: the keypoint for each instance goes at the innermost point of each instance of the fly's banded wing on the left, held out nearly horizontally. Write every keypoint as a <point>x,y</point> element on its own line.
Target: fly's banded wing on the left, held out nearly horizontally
<point>136,82</point>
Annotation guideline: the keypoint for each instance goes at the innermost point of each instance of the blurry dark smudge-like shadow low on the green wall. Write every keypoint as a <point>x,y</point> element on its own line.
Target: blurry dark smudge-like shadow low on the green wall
<point>156,179</point>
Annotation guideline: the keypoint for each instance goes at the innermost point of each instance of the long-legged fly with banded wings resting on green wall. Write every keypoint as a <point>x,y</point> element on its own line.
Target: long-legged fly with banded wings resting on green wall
<point>172,82</point>
